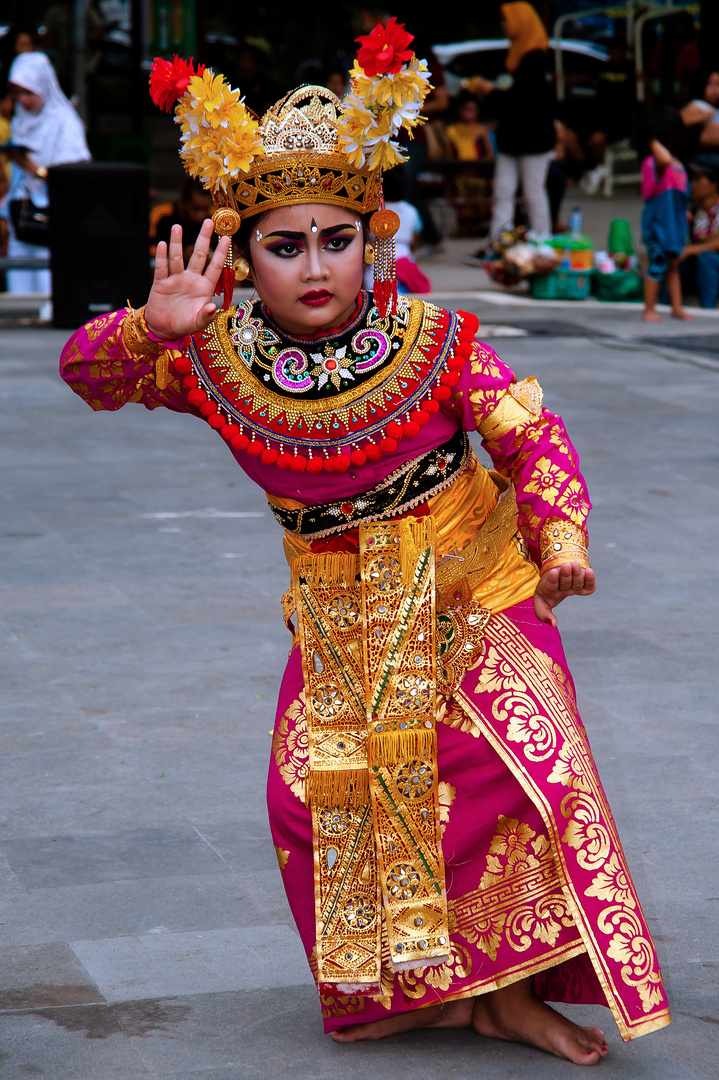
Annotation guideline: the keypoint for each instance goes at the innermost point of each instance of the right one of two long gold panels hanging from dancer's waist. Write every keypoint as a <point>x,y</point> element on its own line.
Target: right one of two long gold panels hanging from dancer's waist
<point>401,680</point>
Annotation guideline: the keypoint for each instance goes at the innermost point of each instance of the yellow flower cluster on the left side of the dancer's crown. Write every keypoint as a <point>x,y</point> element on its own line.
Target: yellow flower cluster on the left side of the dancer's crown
<point>221,139</point>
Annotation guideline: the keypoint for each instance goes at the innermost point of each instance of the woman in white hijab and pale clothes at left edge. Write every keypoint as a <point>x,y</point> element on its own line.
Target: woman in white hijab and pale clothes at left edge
<point>47,125</point>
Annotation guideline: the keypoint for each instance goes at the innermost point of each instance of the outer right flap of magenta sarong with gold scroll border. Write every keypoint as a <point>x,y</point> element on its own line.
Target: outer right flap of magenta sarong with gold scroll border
<point>533,726</point>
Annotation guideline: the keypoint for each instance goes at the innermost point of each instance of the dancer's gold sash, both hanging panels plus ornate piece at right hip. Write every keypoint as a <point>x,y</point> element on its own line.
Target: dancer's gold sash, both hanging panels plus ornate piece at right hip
<point>381,634</point>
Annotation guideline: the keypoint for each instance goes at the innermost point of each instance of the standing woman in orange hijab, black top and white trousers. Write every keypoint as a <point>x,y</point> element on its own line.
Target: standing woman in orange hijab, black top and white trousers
<point>525,132</point>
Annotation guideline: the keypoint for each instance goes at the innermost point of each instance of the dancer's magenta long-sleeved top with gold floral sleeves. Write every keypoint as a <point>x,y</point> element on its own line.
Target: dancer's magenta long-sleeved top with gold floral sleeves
<point>528,444</point>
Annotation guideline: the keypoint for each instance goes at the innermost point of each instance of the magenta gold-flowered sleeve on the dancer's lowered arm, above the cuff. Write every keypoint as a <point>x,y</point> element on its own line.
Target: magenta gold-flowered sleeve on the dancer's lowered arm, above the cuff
<point>527,443</point>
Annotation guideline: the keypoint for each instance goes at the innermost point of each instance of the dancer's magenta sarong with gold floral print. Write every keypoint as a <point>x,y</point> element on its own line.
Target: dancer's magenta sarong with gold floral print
<point>537,881</point>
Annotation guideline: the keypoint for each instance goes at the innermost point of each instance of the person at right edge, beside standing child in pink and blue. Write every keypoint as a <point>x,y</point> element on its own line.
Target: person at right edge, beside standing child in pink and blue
<point>704,232</point>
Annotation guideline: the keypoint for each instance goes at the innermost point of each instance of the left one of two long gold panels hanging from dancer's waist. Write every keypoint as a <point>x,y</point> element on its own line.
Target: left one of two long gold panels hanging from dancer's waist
<point>348,902</point>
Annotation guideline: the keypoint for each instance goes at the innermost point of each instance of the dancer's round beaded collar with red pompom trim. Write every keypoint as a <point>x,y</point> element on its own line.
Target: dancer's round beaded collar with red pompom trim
<point>321,403</point>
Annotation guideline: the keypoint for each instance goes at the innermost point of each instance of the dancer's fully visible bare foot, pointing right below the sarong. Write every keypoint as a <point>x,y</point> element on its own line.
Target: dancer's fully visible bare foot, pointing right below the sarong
<point>517,1015</point>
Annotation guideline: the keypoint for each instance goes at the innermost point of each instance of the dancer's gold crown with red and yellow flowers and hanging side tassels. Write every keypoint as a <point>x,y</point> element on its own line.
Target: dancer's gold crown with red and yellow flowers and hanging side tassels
<point>309,147</point>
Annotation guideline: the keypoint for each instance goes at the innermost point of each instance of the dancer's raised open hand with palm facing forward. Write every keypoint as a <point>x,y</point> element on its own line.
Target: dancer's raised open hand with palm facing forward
<point>181,301</point>
